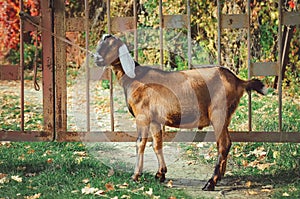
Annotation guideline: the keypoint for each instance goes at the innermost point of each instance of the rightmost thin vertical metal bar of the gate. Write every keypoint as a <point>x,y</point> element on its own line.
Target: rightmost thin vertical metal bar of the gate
<point>280,66</point>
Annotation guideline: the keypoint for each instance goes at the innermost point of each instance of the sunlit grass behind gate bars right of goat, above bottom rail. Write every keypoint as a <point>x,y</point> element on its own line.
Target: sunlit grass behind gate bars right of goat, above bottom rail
<point>265,114</point>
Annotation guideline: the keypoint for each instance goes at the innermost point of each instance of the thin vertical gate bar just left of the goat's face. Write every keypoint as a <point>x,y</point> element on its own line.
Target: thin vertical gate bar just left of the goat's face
<point>87,68</point>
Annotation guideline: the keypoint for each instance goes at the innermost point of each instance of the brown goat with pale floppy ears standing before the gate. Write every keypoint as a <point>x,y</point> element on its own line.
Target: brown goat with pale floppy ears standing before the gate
<point>184,99</point>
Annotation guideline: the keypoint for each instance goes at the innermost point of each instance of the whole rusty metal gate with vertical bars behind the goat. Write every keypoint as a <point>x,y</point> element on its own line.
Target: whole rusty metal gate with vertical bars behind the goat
<point>53,25</point>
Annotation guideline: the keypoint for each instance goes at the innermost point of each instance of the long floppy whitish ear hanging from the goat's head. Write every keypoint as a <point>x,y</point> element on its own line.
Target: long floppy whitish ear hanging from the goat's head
<point>127,62</point>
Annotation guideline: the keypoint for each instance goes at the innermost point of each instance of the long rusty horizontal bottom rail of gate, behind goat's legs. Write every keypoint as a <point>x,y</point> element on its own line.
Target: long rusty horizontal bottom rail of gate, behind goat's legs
<point>169,136</point>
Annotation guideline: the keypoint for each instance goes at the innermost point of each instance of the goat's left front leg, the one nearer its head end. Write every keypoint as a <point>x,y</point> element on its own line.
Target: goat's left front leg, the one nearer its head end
<point>140,148</point>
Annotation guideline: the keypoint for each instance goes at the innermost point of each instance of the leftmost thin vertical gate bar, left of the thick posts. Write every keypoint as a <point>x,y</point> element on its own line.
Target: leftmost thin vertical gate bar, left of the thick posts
<point>22,67</point>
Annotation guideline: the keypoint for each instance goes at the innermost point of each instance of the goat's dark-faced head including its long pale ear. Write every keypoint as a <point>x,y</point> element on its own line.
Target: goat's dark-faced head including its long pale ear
<point>111,50</point>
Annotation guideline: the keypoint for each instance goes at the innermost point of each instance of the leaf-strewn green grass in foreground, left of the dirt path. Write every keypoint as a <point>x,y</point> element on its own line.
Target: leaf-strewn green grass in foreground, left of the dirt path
<point>62,170</point>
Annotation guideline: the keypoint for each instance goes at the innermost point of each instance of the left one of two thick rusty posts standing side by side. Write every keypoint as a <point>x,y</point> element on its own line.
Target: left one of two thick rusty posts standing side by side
<point>48,69</point>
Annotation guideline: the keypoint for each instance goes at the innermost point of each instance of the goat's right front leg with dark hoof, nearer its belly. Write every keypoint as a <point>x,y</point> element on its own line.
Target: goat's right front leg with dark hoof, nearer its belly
<point>156,131</point>
